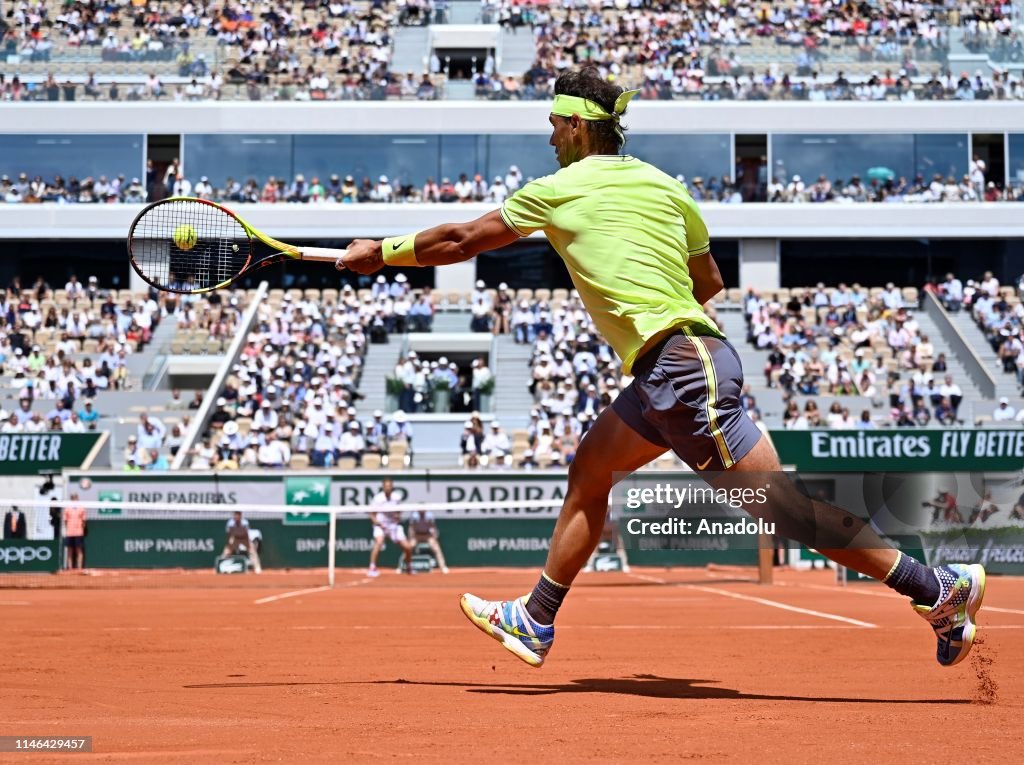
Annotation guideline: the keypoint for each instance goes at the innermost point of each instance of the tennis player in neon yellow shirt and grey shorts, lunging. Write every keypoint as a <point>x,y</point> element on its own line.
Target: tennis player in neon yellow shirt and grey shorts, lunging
<point>638,253</point>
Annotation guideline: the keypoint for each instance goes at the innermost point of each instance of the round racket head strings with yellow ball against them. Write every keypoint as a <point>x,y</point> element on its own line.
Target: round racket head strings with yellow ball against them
<point>187,246</point>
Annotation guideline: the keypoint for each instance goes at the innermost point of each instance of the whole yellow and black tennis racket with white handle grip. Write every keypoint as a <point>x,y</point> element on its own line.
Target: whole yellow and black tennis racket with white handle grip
<point>193,246</point>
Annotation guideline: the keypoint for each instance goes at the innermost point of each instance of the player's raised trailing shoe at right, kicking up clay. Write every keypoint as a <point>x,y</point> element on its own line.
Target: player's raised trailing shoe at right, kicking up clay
<point>963,589</point>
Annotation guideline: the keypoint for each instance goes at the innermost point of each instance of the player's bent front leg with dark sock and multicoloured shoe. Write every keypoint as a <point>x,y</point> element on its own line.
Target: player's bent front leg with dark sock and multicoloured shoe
<point>526,626</point>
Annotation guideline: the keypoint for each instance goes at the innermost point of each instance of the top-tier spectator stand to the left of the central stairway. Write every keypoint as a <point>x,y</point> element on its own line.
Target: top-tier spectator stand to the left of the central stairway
<point>194,52</point>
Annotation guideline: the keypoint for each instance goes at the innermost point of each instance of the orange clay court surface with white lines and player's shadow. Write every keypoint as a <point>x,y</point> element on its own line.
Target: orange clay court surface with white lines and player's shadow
<point>656,665</point>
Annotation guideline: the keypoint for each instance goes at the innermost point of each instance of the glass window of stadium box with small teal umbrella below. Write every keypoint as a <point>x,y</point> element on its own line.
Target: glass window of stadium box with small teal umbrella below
<point>871,156</point>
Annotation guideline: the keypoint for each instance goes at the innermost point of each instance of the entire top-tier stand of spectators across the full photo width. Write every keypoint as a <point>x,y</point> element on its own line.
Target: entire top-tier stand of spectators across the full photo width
<point>345,52</point>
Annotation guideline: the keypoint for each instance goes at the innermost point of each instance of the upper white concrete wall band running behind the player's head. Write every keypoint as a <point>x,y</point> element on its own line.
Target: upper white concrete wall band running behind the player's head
<point>497,118</point>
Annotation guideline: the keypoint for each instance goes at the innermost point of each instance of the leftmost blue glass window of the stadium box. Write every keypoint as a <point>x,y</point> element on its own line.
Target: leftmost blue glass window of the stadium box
<point>68,155</point>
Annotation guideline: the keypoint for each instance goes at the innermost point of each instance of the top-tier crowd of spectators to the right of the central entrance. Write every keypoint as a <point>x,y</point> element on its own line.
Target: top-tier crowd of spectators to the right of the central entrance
<point>697,51</point>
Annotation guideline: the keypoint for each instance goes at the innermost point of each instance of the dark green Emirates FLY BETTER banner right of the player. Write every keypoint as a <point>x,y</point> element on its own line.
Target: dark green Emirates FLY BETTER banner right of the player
<point>902,451</point>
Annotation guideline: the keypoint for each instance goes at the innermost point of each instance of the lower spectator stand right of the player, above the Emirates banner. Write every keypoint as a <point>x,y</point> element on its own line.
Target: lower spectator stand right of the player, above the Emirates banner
<point>881,360</point>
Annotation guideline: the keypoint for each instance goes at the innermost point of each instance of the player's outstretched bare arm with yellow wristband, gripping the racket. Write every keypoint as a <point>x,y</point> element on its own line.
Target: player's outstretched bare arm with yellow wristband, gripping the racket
<point>443,245</point>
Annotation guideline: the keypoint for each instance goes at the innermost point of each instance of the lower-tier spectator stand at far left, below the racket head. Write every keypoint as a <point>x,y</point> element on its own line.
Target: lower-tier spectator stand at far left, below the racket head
<point>74,360</point>
